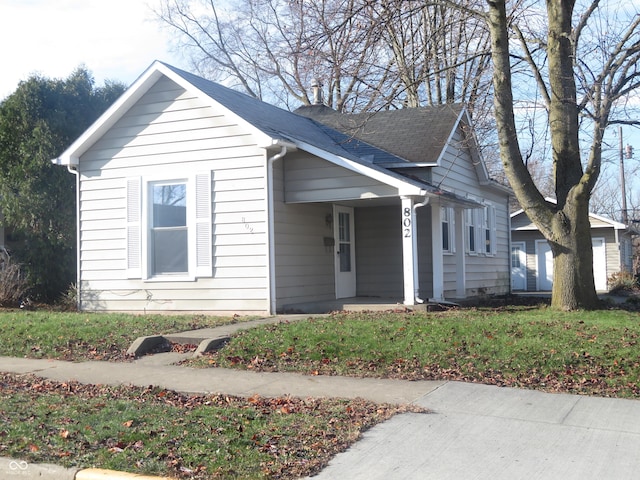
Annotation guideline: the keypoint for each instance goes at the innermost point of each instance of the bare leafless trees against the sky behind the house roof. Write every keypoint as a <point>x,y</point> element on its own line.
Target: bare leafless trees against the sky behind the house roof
<point>369,55</point>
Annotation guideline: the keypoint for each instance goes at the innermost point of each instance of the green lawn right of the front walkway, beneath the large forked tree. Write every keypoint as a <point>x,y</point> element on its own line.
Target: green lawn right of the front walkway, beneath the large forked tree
<point>593,353</point>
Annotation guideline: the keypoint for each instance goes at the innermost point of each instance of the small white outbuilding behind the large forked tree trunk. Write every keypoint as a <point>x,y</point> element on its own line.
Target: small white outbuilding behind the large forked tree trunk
<point>532,261</point>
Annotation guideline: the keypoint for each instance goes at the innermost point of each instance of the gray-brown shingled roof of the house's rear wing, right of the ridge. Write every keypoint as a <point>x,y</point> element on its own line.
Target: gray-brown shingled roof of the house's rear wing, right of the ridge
<point>417,135</point>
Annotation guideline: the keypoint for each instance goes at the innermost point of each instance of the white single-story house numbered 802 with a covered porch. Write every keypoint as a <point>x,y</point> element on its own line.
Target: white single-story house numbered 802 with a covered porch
<point>195,197</point>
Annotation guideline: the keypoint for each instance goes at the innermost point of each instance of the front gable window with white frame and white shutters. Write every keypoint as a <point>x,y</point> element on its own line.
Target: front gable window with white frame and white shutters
<point>169,227</point>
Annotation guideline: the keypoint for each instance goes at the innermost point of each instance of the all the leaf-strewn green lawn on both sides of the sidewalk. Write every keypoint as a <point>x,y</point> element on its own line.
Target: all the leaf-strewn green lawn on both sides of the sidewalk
<point>162,432</point>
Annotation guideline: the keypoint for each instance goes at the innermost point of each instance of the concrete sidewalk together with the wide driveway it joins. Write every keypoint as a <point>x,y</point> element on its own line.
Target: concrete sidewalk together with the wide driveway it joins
<point>475,432</point>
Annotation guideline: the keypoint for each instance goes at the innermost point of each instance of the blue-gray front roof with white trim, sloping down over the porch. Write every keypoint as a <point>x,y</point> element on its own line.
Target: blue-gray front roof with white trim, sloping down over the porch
<point>272,125</point>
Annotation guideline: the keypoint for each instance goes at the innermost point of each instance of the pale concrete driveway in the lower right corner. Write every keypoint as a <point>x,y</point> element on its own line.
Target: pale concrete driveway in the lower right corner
<point>485,432</point>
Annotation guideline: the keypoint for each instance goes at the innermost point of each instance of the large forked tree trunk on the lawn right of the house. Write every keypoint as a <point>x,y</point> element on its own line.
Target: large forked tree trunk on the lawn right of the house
<point>564,224</point>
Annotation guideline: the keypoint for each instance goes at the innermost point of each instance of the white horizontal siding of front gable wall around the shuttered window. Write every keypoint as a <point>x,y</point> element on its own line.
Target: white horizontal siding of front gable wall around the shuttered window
<point>169,134</point>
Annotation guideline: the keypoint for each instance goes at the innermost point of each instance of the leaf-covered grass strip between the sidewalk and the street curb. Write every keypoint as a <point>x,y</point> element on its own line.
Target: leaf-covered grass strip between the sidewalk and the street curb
<point>290,437</point>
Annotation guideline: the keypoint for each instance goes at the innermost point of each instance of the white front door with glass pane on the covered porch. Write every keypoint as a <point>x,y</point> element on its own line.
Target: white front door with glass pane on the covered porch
<point>343,225</point>
